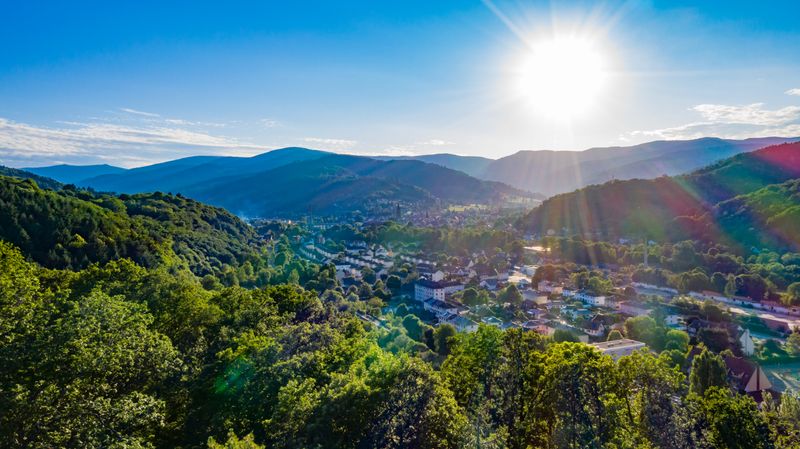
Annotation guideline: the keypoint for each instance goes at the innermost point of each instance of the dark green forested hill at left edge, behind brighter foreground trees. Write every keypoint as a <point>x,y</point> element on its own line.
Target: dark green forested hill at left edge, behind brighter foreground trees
<point>72,228</point>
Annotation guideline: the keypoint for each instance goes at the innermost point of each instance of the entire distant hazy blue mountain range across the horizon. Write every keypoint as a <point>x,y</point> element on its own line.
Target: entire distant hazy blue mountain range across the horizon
<point>295,180</point>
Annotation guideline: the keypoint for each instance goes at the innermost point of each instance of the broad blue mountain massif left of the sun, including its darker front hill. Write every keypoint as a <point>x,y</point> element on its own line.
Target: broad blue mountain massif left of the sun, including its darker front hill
<point>299,180</point>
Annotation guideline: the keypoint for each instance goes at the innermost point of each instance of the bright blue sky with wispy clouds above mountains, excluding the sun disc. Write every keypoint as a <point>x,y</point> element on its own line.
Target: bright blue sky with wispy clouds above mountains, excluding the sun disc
<point>140,82</point>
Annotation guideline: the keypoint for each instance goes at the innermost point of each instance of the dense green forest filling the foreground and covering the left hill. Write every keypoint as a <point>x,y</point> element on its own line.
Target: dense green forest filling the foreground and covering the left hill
<point>111,346</point>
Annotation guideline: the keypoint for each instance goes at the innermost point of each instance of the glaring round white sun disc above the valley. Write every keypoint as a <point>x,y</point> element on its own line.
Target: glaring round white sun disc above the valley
<point>562,77</point>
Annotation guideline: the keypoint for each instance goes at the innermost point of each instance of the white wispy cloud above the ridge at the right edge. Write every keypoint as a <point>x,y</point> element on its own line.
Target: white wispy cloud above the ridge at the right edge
<point>730,121</point>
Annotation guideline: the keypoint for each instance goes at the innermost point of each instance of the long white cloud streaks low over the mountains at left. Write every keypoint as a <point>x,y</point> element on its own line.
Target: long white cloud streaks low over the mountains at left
<point>120,144</point>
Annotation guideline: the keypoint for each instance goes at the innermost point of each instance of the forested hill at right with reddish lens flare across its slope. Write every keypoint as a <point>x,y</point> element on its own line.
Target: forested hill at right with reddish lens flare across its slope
<point>699,205</point>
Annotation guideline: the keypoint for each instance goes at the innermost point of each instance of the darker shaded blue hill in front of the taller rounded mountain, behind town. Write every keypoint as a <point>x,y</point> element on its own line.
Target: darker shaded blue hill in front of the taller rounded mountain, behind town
<point>338,183</point>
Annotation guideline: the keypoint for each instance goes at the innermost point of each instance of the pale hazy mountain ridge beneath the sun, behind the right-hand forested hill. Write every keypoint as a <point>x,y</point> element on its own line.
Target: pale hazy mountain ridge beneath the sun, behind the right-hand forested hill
<point>553,172</point>
